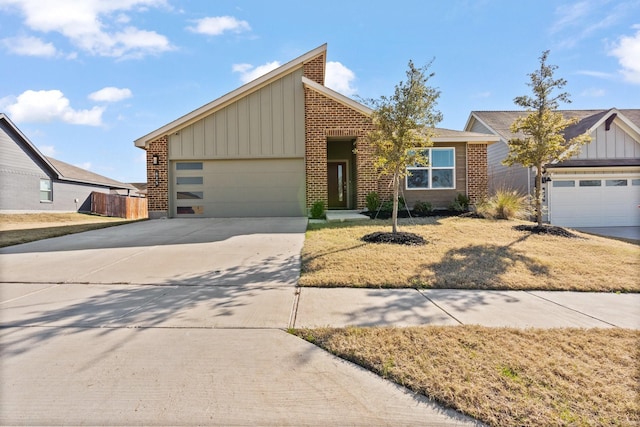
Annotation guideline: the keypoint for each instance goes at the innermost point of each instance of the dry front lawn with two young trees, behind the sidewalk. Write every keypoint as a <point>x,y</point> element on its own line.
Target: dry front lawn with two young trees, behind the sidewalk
<point>467,253</point>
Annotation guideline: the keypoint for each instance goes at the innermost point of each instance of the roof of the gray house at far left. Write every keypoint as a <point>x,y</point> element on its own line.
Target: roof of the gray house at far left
<point>60,170</point>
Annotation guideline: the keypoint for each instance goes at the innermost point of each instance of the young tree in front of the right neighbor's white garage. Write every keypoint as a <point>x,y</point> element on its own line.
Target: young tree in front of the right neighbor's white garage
<point>542,138</point>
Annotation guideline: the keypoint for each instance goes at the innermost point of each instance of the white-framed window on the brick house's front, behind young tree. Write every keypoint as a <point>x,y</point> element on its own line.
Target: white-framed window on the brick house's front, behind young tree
<point>439,172</point>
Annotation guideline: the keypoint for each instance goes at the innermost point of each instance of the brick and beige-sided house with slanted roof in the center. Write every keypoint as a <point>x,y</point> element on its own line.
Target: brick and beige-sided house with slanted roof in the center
<point>284,141</point>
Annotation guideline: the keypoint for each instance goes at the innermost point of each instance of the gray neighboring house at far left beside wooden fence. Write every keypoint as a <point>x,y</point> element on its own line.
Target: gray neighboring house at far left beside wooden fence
<point>33,182</point>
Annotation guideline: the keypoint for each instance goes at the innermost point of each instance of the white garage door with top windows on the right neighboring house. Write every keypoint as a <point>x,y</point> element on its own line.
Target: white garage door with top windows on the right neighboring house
<point>594,202</point>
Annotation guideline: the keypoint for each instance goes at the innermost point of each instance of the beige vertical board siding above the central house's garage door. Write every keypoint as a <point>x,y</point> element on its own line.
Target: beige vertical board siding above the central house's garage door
<point>268,123</point>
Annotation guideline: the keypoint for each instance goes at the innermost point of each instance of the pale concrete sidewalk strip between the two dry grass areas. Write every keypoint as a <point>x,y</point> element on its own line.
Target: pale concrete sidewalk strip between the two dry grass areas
<point>339,307</point>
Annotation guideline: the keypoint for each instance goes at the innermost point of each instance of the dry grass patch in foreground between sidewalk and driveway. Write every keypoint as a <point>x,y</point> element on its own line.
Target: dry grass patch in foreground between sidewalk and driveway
<point>505,377</point>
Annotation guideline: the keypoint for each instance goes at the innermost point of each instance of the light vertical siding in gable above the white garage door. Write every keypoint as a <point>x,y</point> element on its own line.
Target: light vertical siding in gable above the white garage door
<point>612,144</point>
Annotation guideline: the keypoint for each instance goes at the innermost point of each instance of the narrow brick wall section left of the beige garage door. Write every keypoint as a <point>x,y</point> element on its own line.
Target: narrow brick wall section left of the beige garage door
<point>158,196</point>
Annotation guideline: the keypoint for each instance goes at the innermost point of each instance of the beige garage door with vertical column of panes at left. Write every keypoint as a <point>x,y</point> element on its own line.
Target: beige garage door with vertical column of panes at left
<point>238,188</point>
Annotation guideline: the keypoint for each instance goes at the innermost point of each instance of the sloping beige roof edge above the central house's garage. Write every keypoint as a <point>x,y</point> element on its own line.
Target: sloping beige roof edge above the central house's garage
<point>230,97</point>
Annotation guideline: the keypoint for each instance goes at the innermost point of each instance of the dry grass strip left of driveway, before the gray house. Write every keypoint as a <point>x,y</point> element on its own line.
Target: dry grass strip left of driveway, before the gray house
<point>23,228</point>
